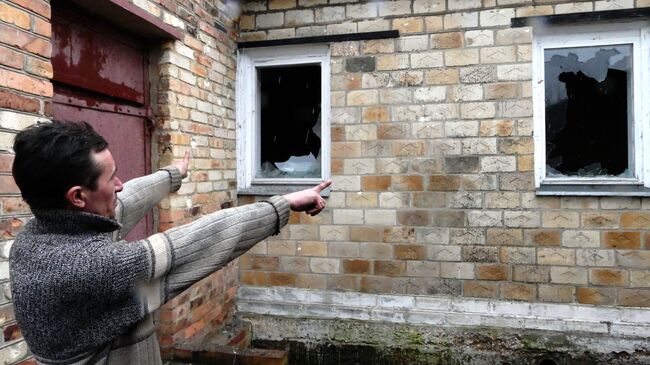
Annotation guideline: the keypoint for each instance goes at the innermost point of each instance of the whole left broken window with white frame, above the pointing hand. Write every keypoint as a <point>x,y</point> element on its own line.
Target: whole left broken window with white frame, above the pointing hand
<point>283,108</point>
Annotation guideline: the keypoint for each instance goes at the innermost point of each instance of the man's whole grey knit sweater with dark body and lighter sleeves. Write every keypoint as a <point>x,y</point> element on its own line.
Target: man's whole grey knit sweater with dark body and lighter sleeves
<point>82,297</point>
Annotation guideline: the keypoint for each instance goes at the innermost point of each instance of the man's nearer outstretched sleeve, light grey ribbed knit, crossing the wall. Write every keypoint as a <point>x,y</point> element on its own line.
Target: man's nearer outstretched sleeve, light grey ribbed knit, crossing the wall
<point>183,255</point>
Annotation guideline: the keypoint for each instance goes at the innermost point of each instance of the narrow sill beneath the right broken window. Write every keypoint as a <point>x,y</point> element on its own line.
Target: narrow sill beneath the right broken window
<point>592,190</point>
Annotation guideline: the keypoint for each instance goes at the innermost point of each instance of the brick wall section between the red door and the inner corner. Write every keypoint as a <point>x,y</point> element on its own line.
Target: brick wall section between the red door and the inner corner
<point>195,81</point>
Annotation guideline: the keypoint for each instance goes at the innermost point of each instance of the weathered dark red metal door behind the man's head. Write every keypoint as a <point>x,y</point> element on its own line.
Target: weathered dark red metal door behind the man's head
<point>100,77</point>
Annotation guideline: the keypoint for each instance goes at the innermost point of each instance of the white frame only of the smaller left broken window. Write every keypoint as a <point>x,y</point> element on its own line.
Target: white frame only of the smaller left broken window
<point>248,114</point>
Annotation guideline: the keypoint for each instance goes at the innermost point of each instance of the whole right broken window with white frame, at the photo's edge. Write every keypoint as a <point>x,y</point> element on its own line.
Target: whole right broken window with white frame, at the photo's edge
<point>590,115</point>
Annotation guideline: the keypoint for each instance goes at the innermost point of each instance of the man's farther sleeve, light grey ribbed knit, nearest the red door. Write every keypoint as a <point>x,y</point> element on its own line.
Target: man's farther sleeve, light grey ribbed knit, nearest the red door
<point>141,194</point>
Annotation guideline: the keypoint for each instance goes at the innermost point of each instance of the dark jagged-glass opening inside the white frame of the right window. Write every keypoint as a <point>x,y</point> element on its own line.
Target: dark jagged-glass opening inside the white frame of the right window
<point>588,95</point>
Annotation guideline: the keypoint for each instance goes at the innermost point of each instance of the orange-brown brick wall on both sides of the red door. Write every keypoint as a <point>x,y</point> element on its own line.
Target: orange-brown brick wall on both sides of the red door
<point>193,105</point>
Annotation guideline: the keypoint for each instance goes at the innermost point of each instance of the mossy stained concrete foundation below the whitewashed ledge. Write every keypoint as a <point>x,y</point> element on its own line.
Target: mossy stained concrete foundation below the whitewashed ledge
<point>312,341</point>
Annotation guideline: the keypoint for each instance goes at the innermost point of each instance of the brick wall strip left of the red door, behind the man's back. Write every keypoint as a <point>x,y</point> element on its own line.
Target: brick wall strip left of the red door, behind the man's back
<point>25,97</point>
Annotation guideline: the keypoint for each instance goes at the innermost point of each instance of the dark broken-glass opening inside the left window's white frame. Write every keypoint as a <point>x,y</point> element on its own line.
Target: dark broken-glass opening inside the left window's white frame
<point>290,104</point>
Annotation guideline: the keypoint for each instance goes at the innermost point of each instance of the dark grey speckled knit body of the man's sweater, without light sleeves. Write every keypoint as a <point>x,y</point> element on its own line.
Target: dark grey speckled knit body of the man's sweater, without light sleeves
<point>73,293</point>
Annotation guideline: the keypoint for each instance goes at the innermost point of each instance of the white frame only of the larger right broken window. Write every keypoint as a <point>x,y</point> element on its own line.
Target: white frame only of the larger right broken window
<point>634,33</point>
